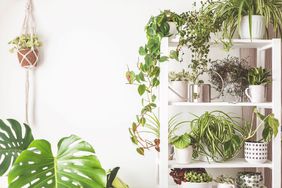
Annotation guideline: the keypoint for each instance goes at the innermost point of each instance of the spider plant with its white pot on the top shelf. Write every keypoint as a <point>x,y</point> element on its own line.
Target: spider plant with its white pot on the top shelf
<point>250,17</point>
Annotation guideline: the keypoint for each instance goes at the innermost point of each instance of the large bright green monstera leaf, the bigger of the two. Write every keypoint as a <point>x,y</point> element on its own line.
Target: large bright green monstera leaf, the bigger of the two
<point>74,166</point>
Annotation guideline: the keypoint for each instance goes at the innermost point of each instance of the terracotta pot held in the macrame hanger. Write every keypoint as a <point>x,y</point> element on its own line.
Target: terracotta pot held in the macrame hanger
<point>28,57</point>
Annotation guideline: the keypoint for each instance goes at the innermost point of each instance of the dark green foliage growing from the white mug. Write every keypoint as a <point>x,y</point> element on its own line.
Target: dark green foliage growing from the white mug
<point>258,76</point>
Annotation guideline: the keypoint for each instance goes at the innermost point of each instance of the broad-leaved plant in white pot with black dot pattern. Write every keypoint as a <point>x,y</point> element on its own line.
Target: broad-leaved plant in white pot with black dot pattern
<point>256,151</point>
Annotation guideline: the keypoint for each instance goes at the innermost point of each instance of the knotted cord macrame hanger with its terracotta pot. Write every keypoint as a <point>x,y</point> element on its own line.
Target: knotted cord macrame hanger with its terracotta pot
<point>28,57</point>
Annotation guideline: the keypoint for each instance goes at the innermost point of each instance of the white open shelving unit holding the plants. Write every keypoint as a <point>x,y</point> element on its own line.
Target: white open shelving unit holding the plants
<point>275,165</point>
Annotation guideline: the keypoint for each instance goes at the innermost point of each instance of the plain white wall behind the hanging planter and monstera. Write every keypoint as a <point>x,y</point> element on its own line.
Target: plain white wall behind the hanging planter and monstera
<point>80,86</point>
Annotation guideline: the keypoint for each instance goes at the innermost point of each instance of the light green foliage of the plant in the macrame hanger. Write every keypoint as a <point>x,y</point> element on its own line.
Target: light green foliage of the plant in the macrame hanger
<point>25,41</point>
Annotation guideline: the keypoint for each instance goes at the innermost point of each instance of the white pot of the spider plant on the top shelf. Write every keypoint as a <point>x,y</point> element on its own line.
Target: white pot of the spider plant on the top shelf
<point>258,27</point>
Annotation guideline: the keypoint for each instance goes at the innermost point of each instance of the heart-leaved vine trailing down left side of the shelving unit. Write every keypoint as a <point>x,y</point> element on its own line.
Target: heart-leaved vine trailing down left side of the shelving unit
<point>146,78</point>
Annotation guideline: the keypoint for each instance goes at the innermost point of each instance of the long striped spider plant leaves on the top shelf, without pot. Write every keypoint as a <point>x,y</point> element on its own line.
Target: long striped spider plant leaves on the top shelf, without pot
<point>230,13</point>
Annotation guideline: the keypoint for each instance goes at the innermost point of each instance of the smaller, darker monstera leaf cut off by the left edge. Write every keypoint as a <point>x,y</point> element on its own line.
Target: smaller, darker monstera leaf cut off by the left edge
<point>12,142</point>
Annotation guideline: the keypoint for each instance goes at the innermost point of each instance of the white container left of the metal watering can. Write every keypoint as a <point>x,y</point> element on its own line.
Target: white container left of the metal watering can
<point>177,91</point>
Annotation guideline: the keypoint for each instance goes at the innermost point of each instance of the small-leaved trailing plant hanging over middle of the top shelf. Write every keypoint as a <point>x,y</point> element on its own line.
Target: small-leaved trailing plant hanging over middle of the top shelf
<point>195,34</point>
